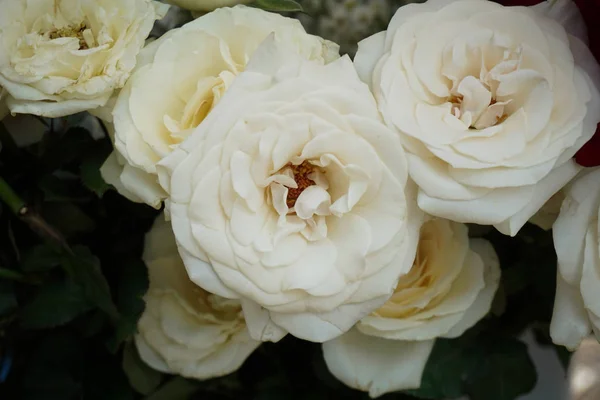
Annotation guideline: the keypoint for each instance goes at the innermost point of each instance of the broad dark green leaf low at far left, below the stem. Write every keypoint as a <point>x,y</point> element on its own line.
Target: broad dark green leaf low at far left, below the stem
<point>55,304</point>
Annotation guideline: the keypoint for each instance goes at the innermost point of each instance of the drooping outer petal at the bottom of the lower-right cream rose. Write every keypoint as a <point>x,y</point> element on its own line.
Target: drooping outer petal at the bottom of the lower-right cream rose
<point>377,365</point>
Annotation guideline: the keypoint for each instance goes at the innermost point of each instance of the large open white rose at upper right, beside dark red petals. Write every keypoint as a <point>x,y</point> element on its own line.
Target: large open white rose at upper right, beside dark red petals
<point>491,103</point>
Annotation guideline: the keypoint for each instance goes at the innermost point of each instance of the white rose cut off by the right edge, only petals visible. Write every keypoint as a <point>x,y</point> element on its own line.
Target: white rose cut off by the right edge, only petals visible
<point>577,303</point>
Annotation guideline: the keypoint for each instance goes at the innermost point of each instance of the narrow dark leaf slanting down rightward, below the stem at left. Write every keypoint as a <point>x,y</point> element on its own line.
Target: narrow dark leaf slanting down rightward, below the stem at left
<point>84,268</point>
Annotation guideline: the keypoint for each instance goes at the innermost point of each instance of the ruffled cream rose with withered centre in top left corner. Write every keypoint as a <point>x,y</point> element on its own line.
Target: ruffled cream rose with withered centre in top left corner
<point>60,57</point>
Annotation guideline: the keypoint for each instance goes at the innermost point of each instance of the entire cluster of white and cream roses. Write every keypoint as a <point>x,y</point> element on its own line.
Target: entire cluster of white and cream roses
<point>304,193</point>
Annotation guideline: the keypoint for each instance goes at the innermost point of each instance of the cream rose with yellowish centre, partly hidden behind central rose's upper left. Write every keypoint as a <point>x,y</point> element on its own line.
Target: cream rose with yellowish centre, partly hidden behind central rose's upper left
<point>181,77</point>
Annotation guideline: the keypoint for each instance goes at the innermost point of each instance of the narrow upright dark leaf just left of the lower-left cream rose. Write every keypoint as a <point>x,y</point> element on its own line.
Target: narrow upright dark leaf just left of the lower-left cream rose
<point>133,284</point>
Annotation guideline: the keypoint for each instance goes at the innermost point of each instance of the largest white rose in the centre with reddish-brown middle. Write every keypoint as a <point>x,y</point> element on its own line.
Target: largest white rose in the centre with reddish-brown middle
<point>291,196</point>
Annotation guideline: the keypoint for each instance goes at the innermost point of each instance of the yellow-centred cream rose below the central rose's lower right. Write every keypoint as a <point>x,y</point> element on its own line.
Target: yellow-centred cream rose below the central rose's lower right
<point>450,287</point>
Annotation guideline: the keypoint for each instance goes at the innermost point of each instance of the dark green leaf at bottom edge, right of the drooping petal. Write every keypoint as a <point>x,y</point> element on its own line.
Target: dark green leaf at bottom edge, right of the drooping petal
<point>503,371</point>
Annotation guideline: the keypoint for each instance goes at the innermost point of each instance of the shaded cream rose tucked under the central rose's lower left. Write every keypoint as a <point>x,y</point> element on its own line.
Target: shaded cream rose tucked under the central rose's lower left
<point>184,329</point>
